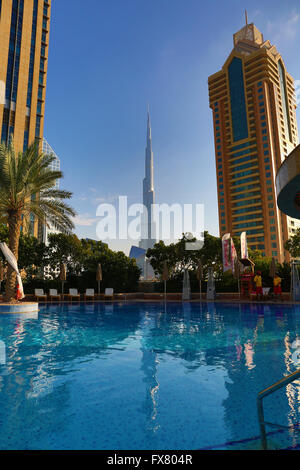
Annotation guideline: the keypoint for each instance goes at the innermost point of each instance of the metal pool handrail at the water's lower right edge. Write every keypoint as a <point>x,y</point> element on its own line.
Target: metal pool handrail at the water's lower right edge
<point>260,409</point>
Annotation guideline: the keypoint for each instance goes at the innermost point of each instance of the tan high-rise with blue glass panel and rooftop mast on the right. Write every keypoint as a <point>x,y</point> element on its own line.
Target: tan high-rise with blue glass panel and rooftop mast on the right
<point>254,113</point>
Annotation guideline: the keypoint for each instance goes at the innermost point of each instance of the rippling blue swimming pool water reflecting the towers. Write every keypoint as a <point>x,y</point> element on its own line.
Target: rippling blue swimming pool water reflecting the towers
<point>146,376</point>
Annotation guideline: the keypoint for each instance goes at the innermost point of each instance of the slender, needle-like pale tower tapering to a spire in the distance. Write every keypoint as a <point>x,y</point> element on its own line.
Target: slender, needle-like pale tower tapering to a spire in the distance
<point>148,230</point>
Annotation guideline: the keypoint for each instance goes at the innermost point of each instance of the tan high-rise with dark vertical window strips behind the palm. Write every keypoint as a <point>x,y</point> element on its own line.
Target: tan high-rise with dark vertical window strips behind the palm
<point>24,39</point>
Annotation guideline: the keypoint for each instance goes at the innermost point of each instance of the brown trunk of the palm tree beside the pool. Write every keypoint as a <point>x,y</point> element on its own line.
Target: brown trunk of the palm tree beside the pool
<point>14,223</point>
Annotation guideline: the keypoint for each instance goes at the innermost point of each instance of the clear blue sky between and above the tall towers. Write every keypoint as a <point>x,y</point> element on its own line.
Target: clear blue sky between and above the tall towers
<point>109,58</point>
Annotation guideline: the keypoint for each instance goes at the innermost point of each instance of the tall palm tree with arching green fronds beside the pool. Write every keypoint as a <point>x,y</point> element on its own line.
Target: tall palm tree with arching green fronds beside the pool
<point>27,187</point>
